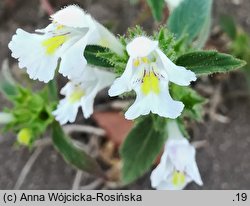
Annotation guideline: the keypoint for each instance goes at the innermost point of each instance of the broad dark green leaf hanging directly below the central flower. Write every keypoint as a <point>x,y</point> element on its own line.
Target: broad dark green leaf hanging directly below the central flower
<point>141,147</point>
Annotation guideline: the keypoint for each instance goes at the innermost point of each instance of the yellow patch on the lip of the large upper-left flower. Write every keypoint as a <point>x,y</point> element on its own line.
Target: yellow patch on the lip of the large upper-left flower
<point>53,43</point>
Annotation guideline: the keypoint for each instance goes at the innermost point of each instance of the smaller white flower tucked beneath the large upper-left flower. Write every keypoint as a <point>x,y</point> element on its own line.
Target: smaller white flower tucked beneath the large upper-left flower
<point>82,94</point>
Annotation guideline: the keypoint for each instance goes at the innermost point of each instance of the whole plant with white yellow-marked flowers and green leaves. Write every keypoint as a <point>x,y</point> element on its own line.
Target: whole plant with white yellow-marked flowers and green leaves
<point>155,73</point>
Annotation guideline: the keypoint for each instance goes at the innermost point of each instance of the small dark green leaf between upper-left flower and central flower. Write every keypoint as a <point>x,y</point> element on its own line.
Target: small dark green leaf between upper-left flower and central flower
<point>91,55</point>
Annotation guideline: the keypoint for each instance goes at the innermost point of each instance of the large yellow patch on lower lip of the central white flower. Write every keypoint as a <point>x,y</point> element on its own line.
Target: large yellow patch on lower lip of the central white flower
<point>150,83</point>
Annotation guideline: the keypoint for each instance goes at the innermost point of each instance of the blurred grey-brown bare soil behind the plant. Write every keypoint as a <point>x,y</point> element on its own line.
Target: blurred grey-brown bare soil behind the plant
<point>224,161</point>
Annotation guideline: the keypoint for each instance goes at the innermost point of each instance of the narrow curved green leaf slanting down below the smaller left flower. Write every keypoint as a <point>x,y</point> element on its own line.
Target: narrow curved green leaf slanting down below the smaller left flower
<point>72,153</point>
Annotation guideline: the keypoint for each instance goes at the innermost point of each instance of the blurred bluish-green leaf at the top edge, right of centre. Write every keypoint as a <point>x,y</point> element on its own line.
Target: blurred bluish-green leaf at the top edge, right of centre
<point>189,18</point>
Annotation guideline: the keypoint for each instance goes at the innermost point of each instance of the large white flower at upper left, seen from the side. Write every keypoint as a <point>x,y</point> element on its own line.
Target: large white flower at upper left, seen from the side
<point>65,38</point>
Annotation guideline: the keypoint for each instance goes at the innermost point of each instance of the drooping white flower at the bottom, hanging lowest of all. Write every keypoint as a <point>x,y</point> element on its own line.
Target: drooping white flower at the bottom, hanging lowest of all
<point>177,167</point>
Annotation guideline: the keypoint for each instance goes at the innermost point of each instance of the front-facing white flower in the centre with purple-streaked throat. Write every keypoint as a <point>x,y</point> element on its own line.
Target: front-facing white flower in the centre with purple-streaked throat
<point>148,72</point>
